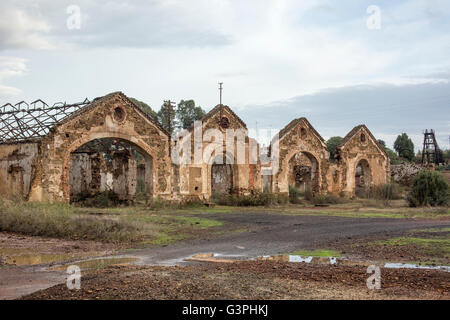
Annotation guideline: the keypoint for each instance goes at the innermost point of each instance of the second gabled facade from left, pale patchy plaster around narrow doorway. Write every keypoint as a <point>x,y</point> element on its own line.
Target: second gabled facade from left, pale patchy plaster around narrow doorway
<point>195,179</point>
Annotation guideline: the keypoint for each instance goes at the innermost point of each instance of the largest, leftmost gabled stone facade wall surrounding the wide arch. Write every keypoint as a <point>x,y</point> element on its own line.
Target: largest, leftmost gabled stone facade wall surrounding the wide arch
<point>101,120</point>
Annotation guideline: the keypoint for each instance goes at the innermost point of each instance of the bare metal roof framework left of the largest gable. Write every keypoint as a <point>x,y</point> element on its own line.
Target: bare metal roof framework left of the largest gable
<point>24,121</point>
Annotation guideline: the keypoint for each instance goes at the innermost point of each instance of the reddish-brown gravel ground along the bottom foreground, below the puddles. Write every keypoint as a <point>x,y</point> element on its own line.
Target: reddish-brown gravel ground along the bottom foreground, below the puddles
<point>252,280</point>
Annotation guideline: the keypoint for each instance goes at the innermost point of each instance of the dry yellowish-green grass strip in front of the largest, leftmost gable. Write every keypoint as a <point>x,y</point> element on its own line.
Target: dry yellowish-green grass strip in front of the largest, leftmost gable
<point>119,224</point>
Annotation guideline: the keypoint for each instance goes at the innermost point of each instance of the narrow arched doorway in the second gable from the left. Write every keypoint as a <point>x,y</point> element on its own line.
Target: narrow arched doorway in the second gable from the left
<point>221,177</point>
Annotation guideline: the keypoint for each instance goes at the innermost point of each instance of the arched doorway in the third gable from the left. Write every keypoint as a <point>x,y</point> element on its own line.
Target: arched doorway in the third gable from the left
<point>303,172</point>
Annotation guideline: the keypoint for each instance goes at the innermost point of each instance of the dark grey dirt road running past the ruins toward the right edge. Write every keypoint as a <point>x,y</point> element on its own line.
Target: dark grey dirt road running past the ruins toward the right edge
<point>271,234</point>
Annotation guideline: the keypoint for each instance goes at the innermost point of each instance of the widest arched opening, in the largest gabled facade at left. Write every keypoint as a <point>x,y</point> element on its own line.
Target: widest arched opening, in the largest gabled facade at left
<point>110,167</point>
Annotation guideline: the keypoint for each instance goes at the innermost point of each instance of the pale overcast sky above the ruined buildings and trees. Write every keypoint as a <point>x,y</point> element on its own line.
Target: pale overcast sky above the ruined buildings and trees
<point>278,59</point>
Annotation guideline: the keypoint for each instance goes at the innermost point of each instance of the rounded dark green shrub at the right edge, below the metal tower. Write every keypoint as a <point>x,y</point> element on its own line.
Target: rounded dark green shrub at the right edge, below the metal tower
<point>429,188</point>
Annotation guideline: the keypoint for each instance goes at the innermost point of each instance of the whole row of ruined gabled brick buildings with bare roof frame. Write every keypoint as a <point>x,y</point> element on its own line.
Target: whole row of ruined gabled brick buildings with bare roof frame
<point>111,144</point>
